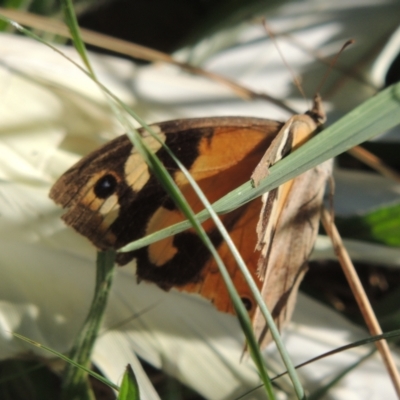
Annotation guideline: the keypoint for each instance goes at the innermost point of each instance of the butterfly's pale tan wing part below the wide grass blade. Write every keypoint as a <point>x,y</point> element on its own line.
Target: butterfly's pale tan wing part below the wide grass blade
<point>293,241</point>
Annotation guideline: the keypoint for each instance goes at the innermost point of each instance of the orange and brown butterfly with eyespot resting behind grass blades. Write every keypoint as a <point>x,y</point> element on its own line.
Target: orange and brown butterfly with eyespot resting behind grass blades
<point>113,198</point>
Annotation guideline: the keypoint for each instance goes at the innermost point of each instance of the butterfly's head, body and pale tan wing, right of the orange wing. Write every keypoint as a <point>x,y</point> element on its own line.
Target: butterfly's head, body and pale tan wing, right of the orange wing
<point>289,221</point>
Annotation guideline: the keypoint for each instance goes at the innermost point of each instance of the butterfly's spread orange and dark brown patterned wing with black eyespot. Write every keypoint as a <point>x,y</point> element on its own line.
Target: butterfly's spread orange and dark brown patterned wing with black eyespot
<point>113,199</point>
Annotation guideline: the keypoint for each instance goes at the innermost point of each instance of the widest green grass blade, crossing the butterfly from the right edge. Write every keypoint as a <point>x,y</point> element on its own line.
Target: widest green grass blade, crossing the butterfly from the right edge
<point>372,118</point>
